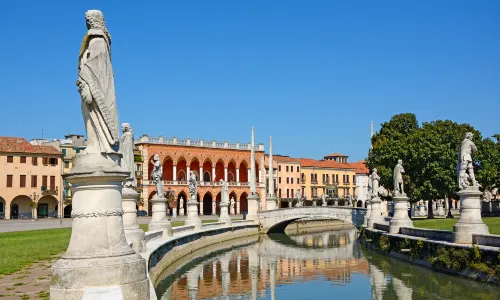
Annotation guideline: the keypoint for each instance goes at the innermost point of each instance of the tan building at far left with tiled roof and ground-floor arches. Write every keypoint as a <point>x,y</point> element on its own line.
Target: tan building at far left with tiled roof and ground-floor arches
<point>30,180</point>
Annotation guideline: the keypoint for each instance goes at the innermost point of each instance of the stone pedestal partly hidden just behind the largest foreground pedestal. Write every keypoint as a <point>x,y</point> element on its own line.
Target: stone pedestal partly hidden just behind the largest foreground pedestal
<point>133,233</point>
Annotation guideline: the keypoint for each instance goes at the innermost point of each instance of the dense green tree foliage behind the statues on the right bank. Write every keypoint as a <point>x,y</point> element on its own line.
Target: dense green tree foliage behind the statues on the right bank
<point>430,156</point>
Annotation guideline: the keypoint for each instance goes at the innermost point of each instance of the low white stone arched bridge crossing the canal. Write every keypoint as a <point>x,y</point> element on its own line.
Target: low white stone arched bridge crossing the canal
<point>276,220</point>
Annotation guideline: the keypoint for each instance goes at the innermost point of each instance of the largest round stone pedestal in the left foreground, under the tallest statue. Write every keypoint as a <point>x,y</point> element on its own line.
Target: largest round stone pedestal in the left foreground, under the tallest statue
<point>98,255</point>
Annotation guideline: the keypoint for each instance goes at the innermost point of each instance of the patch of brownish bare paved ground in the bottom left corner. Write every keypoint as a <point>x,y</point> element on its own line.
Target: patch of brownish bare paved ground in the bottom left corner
<point>32,282</point>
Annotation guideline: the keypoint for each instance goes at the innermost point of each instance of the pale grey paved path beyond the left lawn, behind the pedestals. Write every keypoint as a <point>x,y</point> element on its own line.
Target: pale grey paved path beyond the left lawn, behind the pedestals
<point>22,225</point>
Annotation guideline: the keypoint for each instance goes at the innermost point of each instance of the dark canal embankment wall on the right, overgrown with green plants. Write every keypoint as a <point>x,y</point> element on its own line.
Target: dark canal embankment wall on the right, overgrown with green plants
<point>434,249</point>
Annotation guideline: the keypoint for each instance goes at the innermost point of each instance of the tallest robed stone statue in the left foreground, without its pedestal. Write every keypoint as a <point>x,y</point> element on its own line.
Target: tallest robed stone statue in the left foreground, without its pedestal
<point>97,88</point>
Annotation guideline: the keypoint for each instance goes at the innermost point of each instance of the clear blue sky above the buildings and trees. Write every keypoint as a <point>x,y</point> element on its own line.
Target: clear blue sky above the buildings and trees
<point>312,74</point>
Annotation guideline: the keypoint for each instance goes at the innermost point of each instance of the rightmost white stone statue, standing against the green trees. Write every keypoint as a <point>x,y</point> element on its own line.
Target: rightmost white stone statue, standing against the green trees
<point>467,148</point>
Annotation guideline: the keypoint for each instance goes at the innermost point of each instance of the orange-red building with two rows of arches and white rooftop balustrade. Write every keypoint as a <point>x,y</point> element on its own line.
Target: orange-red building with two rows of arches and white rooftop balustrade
<point>210,161</point>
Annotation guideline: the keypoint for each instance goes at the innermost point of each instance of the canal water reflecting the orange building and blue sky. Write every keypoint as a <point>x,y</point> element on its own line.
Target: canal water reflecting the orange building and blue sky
<point>308,264</point>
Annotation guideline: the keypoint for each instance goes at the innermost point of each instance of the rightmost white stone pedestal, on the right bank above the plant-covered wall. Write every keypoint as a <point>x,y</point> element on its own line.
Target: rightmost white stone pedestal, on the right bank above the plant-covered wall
<point>470,216</point>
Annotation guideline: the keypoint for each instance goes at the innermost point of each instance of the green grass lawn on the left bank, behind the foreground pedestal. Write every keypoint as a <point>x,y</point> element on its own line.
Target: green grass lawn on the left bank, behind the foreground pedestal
<point>22,248</point>
